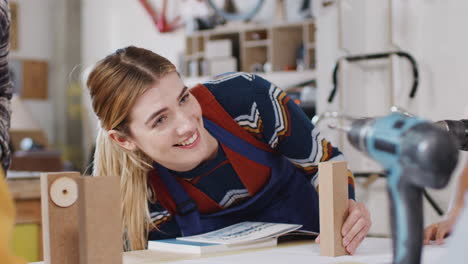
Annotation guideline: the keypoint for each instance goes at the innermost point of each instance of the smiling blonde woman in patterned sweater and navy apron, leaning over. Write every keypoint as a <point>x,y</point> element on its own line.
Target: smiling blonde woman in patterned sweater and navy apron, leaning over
<point>193,160</point>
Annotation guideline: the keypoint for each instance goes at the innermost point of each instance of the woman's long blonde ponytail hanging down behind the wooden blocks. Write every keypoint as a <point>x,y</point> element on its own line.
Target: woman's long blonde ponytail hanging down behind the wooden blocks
<point>132,167</point>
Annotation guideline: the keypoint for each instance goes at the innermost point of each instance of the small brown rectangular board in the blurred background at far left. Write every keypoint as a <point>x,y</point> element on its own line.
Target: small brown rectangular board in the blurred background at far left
<point>35,76</point>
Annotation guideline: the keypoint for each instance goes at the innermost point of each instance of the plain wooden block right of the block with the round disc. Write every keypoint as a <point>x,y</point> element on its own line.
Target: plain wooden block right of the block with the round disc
<point>100,238</point>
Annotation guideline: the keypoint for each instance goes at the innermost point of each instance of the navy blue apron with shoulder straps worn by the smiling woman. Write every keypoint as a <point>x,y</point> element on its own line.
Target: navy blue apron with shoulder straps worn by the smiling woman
<point>288,197</point>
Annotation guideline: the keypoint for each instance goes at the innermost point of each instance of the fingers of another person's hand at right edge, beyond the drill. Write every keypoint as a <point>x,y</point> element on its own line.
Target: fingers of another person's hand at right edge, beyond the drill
<point>441,230</point>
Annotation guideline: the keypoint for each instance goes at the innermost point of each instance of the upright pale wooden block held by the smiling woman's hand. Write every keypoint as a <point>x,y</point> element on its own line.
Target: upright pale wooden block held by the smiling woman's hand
<point>333,202</point>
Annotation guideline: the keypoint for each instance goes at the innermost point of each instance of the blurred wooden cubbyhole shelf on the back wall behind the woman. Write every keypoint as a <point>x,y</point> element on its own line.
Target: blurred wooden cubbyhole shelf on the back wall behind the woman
<point>267,47</point>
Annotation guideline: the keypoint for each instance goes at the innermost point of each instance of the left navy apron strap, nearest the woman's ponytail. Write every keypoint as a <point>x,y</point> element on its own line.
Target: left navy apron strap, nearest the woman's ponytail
<point>187,215</point>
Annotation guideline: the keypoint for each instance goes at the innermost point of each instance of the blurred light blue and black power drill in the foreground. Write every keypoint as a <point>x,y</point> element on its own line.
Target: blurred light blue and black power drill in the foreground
<point>415,154</point>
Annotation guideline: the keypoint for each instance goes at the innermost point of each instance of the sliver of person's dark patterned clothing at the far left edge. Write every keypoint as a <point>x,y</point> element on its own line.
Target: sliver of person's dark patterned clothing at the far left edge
<point>5,84</point>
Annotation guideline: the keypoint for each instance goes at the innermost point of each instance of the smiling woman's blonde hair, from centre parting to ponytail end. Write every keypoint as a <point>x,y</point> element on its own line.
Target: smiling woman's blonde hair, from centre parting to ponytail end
<point>114,84</point>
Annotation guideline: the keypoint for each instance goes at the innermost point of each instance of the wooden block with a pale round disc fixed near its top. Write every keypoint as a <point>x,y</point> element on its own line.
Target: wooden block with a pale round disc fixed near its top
<point>59,195</point>
